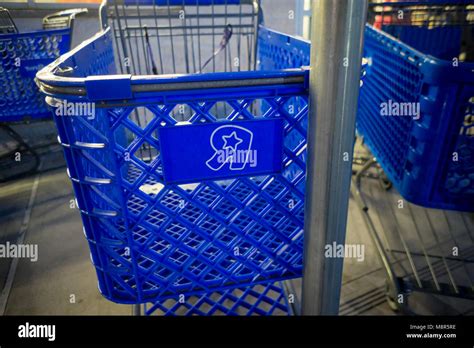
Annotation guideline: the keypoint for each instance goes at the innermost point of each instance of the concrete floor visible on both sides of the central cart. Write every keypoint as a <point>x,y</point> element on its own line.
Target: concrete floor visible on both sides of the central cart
<point>64,268</point>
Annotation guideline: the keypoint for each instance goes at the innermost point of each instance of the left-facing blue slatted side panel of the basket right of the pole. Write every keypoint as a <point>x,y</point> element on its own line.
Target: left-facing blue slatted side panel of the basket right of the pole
<point>392,77</point>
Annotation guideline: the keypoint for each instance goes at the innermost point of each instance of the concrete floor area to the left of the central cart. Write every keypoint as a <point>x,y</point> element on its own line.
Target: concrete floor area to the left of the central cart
<point>63,268</point>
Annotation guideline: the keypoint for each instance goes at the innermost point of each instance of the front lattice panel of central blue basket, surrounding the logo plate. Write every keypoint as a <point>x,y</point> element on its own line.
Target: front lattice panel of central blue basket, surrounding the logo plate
<point>215,234</point>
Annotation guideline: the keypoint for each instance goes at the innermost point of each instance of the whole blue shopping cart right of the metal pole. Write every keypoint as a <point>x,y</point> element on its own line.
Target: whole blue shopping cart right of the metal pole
<point>420,57</point>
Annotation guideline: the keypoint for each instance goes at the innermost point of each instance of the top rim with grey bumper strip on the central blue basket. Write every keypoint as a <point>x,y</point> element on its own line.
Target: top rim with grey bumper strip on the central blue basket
<point>53,82</point>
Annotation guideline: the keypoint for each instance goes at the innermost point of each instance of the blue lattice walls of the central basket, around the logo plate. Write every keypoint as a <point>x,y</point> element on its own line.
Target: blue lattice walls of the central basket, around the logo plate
<point>176,239</point>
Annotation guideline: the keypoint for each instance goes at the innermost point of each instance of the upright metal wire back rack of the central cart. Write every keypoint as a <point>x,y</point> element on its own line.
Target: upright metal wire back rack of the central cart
<point>183,37</point>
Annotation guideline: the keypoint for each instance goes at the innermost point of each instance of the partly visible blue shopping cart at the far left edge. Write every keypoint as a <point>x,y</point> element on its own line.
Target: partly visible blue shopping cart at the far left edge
<point>24,54</point>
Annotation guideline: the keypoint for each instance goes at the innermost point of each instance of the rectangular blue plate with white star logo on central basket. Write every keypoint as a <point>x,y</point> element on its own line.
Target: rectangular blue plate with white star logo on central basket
<point>192,153</point>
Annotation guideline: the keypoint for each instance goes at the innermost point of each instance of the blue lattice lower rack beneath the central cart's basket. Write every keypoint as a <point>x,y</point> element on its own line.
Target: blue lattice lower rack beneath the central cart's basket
<point>263,299</point>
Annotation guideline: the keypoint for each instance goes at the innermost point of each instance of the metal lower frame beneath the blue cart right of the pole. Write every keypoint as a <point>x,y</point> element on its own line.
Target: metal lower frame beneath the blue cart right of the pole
<point>404,275</point>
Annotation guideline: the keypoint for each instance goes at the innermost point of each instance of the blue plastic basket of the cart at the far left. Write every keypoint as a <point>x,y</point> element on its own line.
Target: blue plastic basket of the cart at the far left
<point>22,56</point>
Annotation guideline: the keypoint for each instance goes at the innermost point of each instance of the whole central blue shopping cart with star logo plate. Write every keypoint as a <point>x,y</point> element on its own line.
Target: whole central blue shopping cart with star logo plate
<point>190,174</point>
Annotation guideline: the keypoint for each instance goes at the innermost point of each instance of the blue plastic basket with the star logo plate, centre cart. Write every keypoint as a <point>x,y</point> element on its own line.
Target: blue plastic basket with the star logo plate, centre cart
<point>159,222</point>
